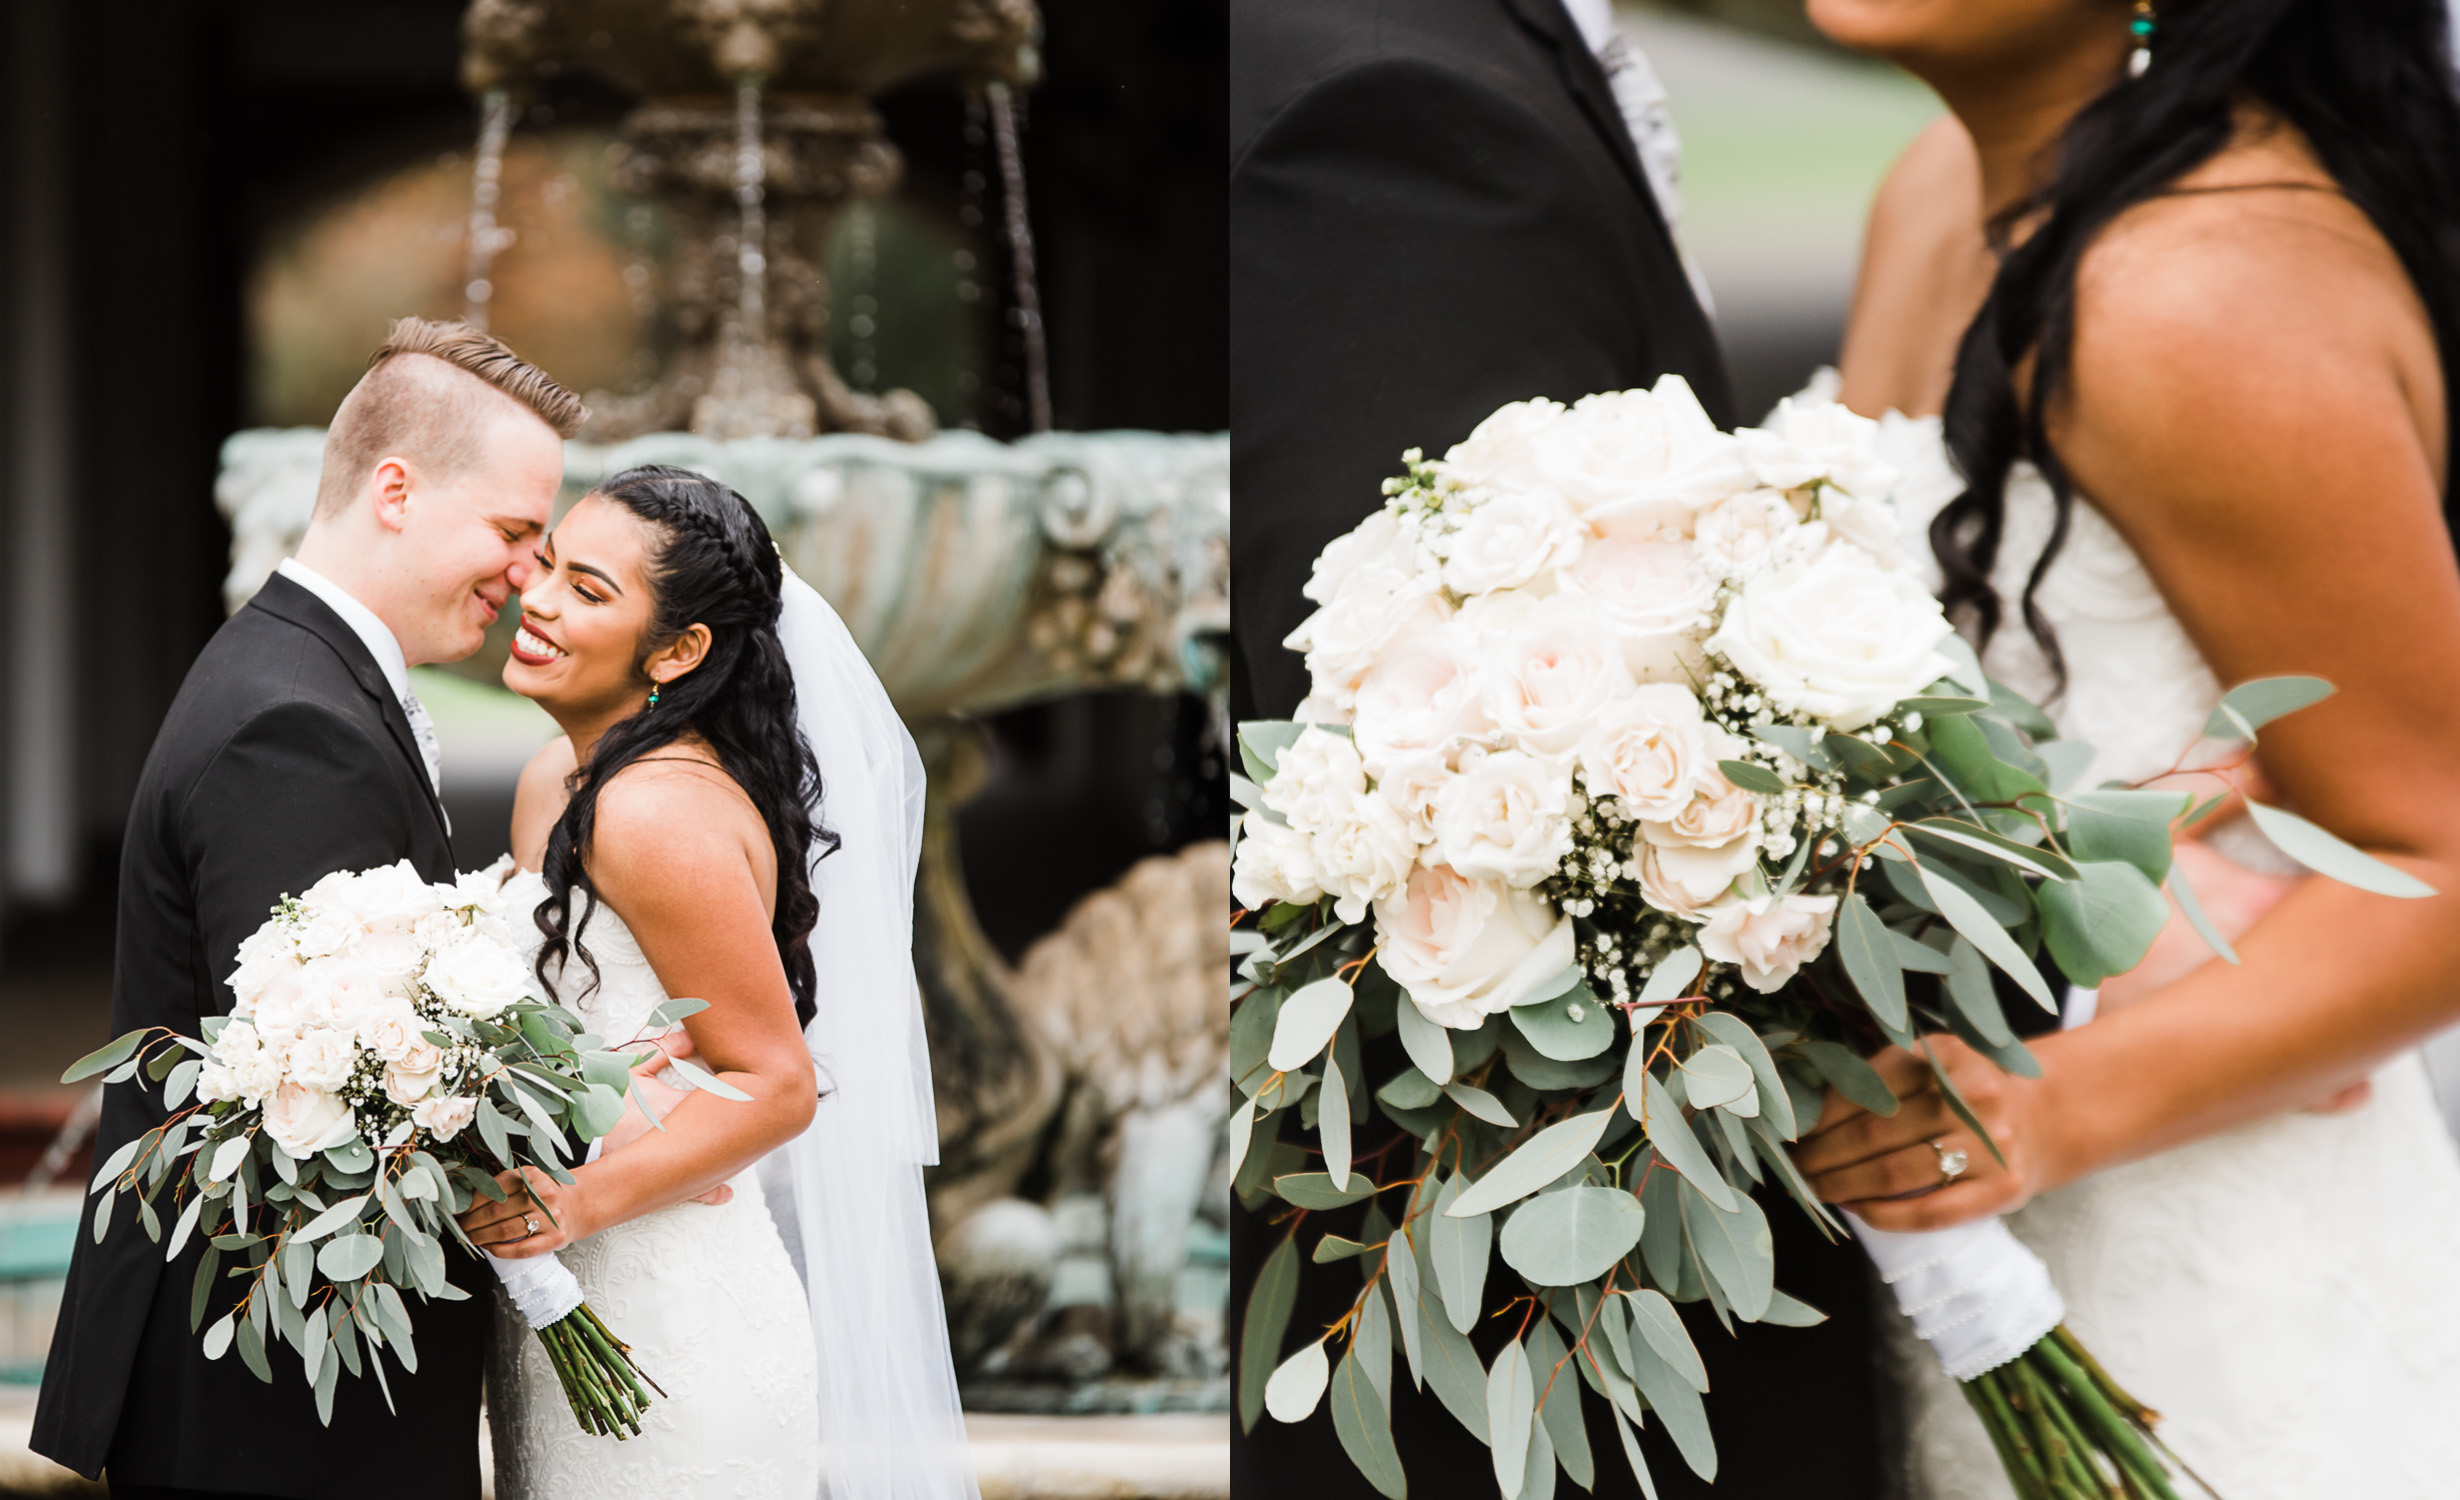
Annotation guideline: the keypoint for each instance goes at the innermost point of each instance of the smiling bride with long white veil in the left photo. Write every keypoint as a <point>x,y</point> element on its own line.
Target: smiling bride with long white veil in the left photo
<point>734,813</point>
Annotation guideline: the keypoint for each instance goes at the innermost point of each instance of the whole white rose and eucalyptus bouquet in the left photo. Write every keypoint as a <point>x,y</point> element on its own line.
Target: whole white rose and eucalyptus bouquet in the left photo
<point>383,1061</point>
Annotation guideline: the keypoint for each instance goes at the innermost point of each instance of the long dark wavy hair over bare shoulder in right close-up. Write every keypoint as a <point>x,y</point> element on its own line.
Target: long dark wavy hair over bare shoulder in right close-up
<point>2370,85</point>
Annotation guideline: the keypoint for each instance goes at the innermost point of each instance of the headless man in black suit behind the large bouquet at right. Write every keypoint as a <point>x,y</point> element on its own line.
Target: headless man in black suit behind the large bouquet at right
<point>1438,208</point>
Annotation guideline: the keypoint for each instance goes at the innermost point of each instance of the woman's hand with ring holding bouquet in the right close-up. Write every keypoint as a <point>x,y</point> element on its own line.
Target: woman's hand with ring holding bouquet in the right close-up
<point>1888,1169</point>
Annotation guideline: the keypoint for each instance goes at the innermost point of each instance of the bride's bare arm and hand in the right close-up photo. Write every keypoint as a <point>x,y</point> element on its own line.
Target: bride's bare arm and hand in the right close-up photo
<point>2260,407</point>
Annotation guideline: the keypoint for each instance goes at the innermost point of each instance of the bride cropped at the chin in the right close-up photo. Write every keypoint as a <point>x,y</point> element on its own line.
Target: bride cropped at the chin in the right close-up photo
<point>2191,341</point>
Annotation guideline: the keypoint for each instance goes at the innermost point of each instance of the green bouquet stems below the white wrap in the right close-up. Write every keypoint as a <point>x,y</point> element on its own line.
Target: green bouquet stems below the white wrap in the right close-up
<point>2068,1432</point>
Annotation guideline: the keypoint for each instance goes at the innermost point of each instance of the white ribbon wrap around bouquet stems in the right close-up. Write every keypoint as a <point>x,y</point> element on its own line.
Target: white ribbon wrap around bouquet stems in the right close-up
<point>1977,1292</point>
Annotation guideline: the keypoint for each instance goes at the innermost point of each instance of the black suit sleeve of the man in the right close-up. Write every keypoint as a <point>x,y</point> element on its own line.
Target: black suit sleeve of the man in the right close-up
<point>1408,250</point>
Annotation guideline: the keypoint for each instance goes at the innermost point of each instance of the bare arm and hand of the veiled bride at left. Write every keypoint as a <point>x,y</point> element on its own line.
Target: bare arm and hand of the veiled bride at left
<point>675,852</point>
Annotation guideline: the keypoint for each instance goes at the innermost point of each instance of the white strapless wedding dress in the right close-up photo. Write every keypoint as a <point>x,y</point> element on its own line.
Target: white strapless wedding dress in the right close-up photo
<point>2289,1292</point>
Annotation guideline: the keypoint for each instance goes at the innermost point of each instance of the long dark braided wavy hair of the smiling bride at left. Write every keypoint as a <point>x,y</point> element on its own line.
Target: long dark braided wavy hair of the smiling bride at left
<point>712,564</point>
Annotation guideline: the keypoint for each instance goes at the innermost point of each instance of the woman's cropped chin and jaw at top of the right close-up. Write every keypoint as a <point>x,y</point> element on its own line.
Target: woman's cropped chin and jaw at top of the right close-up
<point>1977,38</point>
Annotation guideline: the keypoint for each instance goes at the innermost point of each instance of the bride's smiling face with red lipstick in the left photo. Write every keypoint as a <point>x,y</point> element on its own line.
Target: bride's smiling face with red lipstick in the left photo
<point>587,611</point>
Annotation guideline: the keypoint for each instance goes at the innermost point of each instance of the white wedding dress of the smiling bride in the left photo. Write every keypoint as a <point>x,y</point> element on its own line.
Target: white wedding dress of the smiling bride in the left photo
<point>710,1305</point>
